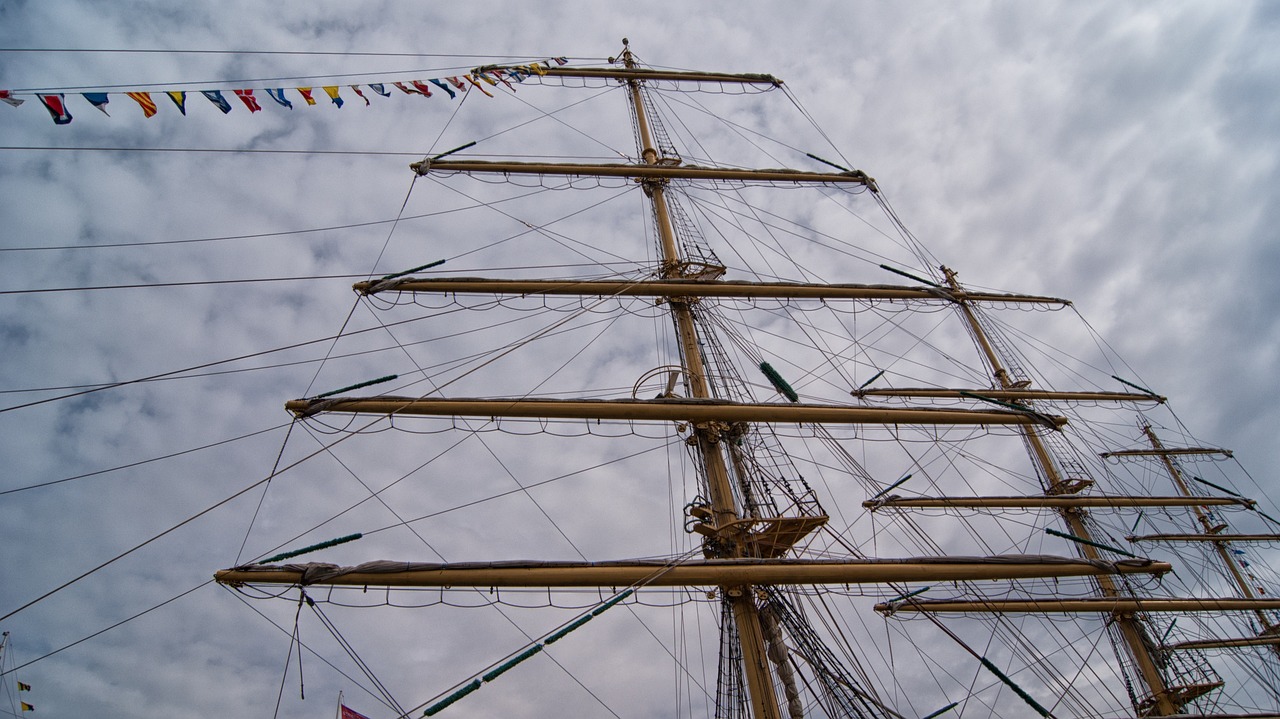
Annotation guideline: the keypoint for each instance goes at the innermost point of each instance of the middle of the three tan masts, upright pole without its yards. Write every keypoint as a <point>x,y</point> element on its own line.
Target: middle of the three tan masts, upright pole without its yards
<point>1130,629</point>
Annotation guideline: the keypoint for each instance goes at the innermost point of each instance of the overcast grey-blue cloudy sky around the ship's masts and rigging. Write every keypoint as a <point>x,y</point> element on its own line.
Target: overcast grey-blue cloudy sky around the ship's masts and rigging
<point>1123,157</point>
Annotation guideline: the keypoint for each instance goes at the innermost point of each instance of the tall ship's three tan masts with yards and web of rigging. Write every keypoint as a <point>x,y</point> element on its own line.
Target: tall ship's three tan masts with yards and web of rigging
<point>774,459</point>
